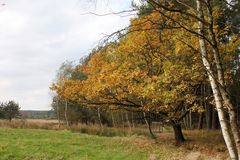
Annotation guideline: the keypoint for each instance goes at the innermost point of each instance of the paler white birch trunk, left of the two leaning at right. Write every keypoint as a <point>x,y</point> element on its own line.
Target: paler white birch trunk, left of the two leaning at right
<point>216,92</point>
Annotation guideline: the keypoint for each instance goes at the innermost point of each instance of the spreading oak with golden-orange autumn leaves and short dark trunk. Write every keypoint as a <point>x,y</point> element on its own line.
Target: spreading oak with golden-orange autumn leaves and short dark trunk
<point>147,71</point>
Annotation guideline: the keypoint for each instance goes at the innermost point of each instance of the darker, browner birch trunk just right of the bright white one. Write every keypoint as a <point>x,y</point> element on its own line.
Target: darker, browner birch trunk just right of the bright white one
<point>216,53</point>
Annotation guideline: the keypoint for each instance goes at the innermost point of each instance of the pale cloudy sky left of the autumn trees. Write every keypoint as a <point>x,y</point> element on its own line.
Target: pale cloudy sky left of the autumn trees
<point>37,36</point>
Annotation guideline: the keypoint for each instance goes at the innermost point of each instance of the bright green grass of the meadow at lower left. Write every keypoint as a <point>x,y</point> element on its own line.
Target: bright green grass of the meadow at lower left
<point>37,144</point>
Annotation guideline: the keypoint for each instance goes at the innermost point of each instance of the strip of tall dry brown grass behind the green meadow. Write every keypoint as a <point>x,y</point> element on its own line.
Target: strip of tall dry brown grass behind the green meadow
<point>80,128</point>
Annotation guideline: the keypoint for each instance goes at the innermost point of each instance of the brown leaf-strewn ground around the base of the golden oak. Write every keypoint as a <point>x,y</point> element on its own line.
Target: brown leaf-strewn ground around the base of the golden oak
<point>200,145</point>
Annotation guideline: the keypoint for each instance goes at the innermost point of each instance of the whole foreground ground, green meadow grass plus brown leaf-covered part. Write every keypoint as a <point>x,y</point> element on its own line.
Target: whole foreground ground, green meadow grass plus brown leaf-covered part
<point>40,144</point>
